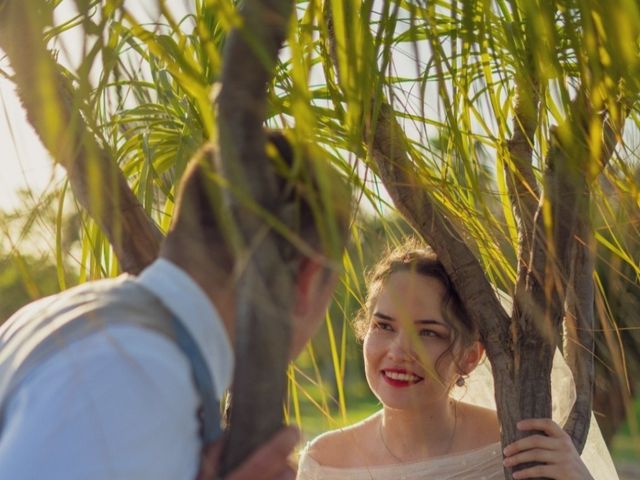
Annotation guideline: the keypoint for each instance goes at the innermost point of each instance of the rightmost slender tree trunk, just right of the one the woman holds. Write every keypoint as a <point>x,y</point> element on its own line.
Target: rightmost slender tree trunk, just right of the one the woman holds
<point>568,273</point>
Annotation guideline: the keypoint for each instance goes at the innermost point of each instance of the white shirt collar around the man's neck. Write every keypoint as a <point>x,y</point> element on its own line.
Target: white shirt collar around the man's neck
<point>186,300</point>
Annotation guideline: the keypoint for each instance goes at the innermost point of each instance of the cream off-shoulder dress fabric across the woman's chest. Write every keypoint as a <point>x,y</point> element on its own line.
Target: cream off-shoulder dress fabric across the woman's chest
<point>484,463</point>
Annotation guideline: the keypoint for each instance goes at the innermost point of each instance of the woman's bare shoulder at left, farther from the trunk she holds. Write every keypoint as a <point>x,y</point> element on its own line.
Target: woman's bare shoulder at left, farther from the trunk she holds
<point>329,448</point>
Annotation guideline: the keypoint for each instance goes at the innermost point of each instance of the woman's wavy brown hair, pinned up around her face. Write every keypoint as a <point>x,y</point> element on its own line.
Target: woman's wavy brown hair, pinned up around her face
<point>414,256</point>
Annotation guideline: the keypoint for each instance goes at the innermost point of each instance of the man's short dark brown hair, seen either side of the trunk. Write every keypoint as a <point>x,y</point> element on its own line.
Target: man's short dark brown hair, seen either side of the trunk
<point>313,205</point>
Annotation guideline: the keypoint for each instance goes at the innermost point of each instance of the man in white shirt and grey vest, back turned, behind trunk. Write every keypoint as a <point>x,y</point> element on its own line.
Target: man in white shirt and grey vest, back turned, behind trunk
<point>110,380</point>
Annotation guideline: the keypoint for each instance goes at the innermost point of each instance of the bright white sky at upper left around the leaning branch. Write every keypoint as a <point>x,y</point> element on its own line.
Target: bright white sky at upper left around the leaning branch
<point>24,162</point>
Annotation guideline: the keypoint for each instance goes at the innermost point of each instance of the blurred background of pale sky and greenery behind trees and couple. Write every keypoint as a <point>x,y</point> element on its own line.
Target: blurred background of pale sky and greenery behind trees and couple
<point>143,107</point>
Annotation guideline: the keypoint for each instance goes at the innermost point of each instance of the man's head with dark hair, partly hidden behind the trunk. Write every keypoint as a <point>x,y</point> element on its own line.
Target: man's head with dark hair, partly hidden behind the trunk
<point>315,210</point>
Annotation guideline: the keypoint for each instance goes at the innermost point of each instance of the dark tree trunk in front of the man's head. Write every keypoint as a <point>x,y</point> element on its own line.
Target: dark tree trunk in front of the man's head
<point>264,300</point>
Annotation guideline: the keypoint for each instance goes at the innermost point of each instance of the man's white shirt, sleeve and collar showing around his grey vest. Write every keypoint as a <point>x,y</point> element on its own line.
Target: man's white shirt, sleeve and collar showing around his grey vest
<point>121,403</point>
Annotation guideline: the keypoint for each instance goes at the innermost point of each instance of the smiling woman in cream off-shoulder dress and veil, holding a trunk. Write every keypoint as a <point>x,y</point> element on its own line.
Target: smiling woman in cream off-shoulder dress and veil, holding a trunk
<point>419,348</point>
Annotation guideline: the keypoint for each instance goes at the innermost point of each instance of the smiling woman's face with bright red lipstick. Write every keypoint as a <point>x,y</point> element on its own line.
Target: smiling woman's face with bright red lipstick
<point>409,359</point>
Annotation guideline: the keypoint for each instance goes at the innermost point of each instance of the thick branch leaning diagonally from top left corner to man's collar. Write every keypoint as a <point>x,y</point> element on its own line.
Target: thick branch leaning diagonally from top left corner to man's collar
<point>53,111</point>
